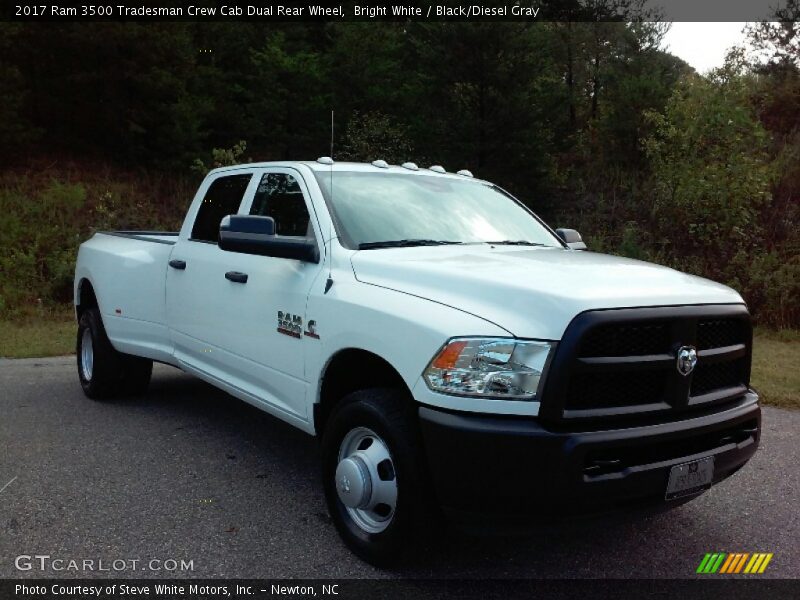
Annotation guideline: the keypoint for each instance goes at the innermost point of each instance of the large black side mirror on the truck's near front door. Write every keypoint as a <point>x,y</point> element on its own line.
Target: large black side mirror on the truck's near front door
<point>251,234</point>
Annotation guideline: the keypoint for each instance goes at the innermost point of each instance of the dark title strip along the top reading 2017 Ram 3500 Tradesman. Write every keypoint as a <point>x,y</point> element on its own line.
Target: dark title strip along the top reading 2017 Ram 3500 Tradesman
<point>267,11</point>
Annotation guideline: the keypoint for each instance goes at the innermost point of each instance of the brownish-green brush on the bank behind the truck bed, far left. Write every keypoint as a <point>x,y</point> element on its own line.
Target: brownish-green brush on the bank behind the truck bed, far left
<point>45,218</point>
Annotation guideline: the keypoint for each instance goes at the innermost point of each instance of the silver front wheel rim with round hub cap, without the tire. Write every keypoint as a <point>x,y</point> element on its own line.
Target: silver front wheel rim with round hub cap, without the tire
<point>366,482</point>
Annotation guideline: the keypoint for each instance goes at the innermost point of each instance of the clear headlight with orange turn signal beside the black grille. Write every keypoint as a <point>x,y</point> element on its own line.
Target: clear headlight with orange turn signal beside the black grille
<point>489,368</point>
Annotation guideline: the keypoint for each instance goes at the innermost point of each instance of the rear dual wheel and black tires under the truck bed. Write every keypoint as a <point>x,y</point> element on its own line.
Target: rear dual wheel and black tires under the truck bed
<point>103,371</point>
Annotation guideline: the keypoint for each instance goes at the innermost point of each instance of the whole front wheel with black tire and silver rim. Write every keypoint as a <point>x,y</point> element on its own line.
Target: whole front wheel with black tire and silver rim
<point>372,474</point>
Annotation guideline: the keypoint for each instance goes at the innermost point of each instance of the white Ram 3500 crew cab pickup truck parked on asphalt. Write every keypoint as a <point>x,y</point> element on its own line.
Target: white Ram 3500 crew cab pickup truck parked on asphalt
<point>461,361</point>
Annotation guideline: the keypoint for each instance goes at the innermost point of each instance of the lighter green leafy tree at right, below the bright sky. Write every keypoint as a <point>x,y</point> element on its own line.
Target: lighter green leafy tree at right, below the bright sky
<point>711,172</point>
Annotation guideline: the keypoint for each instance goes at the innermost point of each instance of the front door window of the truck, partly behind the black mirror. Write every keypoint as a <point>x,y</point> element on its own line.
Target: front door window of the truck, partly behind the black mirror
<point>279,196</point>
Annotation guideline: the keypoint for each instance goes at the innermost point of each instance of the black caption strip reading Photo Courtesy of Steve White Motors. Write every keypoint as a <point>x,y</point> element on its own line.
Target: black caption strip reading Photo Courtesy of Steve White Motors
<point>350,589</point>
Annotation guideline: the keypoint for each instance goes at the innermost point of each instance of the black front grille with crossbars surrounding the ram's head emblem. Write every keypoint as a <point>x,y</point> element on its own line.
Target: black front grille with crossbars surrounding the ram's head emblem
<point>624,362</point>
